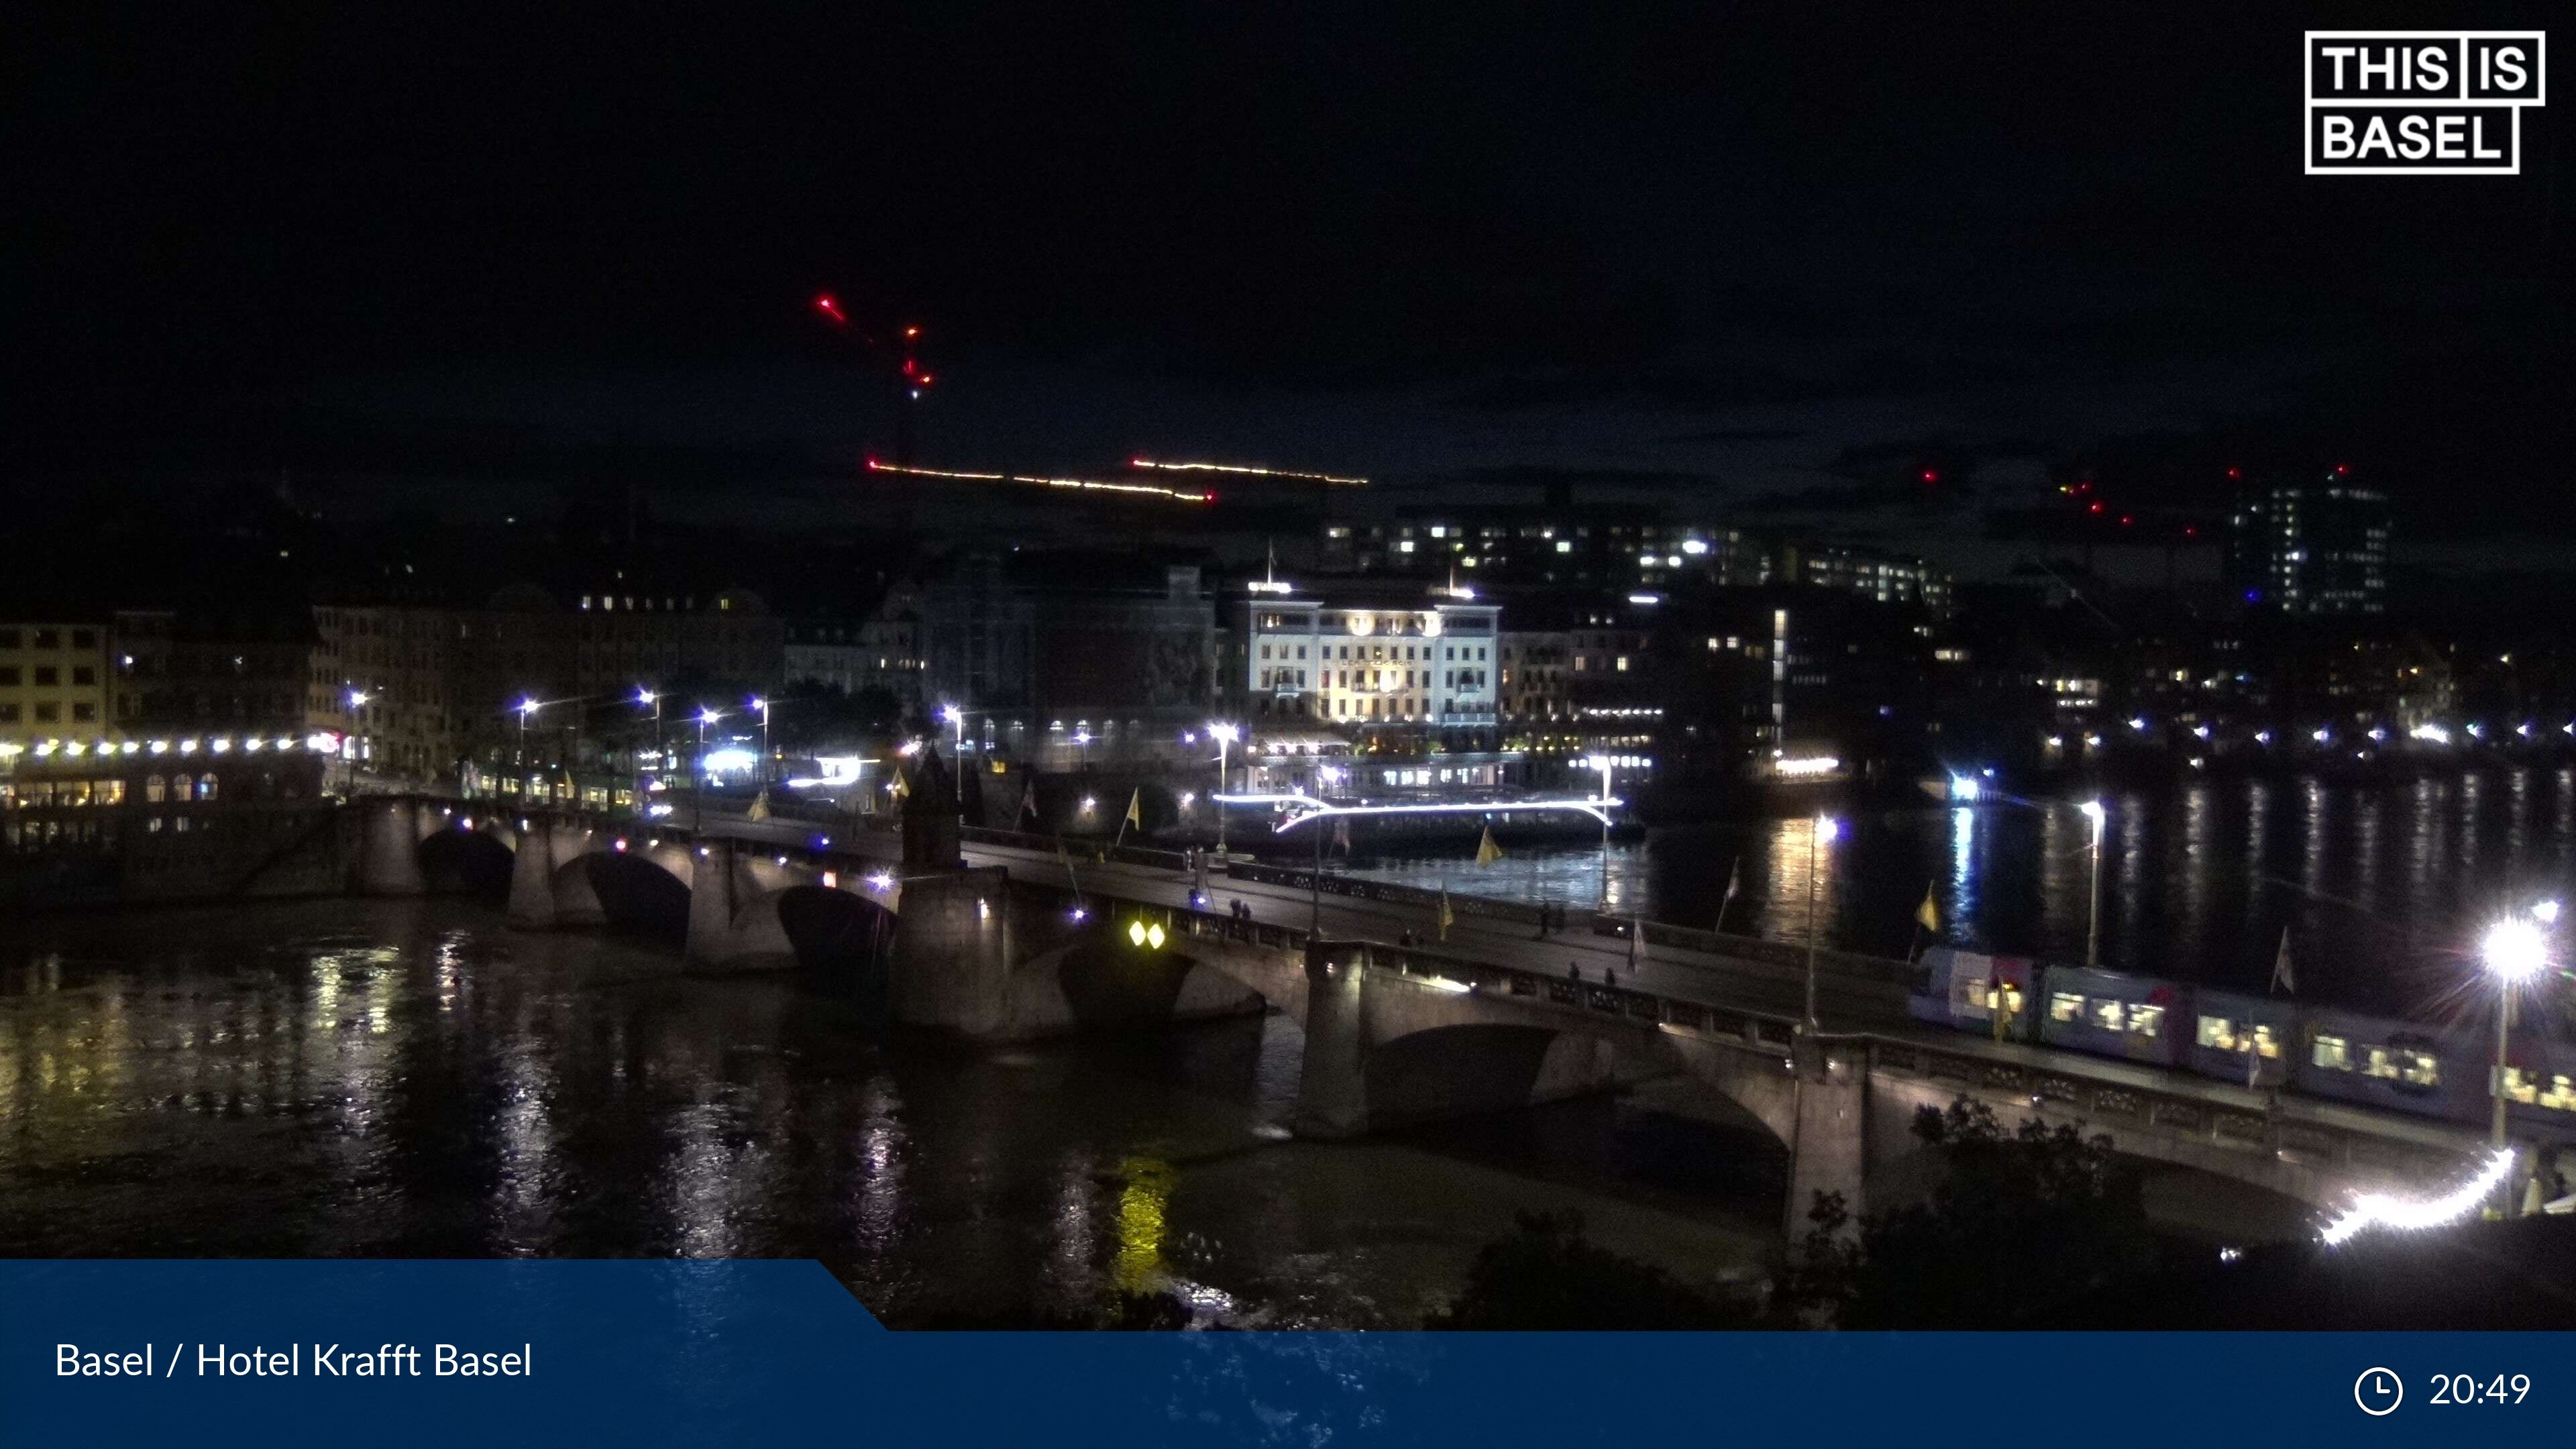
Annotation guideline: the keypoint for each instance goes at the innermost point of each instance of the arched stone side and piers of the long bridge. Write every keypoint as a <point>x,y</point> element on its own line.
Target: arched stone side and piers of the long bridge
<point>1392,1035</point>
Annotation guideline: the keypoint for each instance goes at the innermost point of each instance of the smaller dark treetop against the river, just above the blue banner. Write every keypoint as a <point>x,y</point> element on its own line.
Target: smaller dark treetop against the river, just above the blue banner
<point>1547,1275</point>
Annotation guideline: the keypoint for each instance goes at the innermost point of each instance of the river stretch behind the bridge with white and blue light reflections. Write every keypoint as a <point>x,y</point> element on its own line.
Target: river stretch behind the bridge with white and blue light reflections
<point>2382,888</point>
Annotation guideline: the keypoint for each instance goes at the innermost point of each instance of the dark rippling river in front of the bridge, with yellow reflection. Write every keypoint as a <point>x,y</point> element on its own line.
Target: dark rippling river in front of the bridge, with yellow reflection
<point>411,1079</point>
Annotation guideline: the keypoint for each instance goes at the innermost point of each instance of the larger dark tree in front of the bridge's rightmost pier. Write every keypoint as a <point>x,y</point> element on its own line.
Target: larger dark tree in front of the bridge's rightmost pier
<point>2021,1223</point>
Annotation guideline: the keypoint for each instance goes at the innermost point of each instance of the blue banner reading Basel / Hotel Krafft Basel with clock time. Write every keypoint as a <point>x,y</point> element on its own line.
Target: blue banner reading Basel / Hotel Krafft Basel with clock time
<point>658,1352</point>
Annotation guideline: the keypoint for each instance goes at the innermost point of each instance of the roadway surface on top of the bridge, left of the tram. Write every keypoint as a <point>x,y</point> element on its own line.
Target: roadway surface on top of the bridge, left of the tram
<point>1735,984</point>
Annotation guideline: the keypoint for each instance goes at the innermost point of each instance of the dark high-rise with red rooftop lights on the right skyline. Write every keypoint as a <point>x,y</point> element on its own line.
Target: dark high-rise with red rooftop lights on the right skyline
<point>2312,548</point>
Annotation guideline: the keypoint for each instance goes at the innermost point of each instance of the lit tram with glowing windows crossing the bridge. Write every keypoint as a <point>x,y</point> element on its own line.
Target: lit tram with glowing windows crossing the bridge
<point>2371,1061</point>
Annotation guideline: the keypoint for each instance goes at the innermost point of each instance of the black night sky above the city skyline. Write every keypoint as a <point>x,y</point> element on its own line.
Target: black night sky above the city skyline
<point>1774,259</point>
